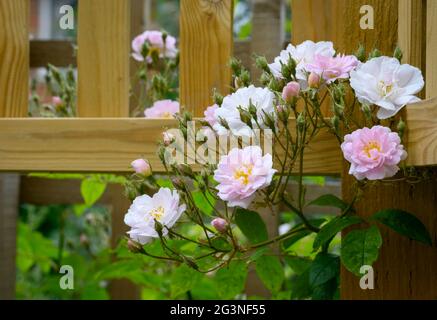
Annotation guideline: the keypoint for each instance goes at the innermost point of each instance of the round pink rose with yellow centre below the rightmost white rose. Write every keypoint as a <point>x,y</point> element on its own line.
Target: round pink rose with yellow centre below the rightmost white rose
<point>373,153</point>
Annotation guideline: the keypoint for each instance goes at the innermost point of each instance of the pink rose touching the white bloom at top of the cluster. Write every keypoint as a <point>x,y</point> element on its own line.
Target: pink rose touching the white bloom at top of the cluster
<point>332,68</point>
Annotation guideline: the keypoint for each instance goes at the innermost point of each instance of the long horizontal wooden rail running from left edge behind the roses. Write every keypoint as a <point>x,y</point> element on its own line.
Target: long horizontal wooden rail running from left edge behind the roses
<point>110,144</point>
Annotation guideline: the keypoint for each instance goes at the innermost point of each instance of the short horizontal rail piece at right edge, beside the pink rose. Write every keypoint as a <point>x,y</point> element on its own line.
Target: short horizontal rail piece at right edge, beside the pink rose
<point>422,133</point>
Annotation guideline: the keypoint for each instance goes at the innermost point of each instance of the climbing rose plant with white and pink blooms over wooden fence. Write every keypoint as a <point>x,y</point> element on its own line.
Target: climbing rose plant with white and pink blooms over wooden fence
<point>222,199</point>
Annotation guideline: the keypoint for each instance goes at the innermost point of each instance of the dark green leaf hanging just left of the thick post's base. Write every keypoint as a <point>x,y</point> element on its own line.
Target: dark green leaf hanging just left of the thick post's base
<point>325,267</point>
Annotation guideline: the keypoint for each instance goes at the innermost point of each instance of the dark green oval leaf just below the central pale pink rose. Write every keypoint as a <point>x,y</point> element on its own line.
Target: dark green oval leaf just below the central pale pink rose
<point>252,226</point>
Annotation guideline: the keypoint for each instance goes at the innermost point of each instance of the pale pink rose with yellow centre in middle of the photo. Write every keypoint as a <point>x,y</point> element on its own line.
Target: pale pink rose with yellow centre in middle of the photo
<point>241,173</point>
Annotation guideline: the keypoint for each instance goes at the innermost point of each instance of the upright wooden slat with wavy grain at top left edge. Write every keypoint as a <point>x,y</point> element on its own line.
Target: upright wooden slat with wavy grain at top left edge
<point>14,58</point>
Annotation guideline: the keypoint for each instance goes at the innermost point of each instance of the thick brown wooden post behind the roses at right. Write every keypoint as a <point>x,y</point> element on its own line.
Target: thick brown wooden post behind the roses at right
<point>405,269</point>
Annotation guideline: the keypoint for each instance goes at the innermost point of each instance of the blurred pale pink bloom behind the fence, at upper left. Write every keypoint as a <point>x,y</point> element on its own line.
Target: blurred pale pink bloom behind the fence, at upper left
<point>156,43</point>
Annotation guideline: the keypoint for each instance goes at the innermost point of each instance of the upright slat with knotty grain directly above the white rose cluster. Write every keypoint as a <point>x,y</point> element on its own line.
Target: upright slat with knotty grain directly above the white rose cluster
<point>205,50</point>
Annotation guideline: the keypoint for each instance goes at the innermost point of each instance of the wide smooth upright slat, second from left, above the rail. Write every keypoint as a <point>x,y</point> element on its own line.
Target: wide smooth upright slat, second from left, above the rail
<point>103,58</point>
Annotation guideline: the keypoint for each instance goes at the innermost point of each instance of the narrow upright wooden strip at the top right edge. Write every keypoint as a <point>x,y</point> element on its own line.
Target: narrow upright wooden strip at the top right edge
<point>431,49</point>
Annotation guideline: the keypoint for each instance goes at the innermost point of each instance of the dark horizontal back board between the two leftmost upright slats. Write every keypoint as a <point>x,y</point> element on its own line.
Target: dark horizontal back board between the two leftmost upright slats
<point>59,53</point>
